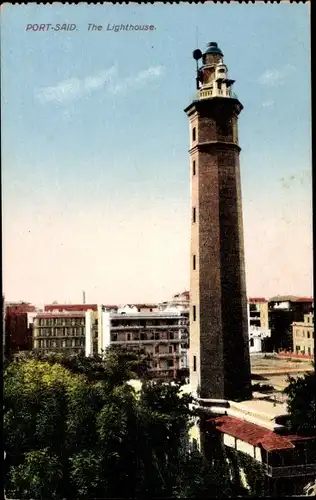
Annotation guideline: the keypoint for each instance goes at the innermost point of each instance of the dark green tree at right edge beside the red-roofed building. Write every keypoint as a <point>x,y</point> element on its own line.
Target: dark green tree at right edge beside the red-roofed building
<point>301,402</point>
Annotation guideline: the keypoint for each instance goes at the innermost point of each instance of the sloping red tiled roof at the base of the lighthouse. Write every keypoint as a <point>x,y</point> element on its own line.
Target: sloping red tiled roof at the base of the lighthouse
<point>251,433</point>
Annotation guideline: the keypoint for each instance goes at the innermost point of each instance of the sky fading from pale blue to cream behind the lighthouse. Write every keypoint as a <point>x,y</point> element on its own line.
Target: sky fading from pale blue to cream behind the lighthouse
<point>95,148</point>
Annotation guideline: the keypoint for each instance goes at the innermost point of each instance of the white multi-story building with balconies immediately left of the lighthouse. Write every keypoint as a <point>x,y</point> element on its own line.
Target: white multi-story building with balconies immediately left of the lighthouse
<point>161,334</point>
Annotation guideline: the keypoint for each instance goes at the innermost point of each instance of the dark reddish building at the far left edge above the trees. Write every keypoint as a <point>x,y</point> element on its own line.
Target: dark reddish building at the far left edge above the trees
<point>17,327</point>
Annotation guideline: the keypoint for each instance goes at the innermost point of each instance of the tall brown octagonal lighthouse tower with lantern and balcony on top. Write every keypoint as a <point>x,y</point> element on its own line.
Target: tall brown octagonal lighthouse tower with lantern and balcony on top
<point>219,350</point>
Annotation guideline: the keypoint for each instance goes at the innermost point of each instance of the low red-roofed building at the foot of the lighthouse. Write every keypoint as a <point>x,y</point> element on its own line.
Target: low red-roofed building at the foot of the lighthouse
<point>258,428</point>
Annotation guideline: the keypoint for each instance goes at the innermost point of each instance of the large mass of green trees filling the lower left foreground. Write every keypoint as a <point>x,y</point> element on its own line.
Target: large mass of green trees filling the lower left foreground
<point>69,435</point>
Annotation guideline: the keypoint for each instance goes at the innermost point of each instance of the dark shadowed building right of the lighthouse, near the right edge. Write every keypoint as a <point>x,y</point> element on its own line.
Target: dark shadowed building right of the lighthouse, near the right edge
<point>283,311</point>
